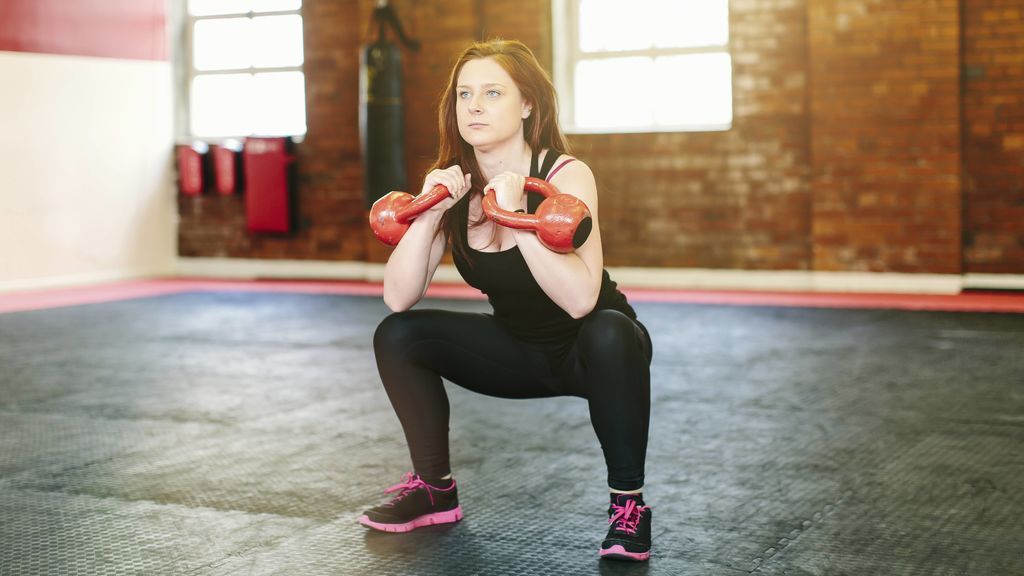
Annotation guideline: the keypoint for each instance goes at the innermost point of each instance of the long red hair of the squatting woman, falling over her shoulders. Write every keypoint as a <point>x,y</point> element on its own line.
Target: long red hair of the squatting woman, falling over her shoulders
<point>541,130</point>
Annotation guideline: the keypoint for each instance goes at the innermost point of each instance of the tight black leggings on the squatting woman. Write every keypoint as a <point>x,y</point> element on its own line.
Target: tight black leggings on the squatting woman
<point>609,364</point>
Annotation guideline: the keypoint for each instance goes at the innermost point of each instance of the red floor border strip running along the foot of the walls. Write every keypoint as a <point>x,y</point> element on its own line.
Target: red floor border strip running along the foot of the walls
<point>980,302</point>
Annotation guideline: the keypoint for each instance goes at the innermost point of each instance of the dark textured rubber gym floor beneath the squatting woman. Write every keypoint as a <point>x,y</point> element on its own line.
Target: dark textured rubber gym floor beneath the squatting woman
<point>243,430</point>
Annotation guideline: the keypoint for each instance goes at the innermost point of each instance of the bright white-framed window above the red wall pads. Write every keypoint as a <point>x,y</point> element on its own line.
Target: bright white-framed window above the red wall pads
<point>245,66</point>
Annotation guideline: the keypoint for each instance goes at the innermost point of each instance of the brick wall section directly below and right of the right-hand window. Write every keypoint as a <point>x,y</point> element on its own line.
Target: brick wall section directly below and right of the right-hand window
<point>721,200</point>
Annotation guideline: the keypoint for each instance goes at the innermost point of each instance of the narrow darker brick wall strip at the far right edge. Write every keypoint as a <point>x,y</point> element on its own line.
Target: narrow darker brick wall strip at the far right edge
<point>994,137</point>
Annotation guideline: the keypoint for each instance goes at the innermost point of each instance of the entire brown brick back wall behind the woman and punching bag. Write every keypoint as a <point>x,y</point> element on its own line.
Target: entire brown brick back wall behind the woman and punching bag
<point>845,154</point>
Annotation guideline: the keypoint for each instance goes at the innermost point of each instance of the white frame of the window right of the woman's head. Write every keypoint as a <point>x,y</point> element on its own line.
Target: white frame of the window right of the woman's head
<point>567,54</point>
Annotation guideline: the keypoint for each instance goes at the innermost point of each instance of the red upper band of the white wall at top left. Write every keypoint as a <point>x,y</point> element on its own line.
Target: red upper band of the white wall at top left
<point>116,29</point>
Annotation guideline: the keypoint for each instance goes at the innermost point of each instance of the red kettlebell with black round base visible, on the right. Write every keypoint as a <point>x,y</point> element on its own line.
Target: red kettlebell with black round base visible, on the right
<point>563,222</point>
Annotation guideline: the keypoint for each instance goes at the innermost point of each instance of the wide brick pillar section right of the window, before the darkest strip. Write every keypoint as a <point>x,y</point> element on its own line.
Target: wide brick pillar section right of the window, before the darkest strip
<point>885,136</point>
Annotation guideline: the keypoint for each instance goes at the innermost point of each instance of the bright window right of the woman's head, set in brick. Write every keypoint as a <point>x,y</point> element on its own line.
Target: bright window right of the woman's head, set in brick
<point>644,66</point>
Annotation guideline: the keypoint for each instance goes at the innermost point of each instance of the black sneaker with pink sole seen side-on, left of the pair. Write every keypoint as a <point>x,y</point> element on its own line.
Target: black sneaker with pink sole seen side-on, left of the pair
<point>416,506</point>
